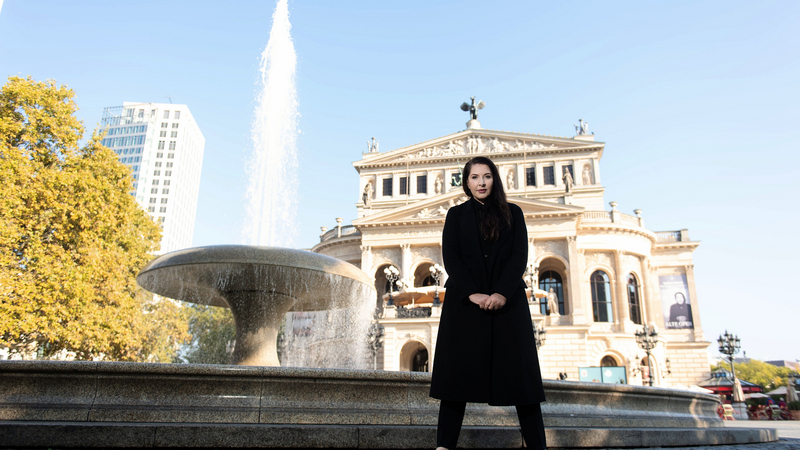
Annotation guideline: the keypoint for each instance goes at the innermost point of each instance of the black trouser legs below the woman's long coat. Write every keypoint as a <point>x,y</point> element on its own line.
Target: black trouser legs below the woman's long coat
<point>451,416</point>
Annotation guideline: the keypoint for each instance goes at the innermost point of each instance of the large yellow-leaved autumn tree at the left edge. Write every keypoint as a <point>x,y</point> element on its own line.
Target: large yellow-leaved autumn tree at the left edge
<point>72,239</point>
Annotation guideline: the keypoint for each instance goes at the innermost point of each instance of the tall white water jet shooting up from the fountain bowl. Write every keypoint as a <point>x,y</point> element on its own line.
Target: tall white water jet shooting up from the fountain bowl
<point>272,192</point>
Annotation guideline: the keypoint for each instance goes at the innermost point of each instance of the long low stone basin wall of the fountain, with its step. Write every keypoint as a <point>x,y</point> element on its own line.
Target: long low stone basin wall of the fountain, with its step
<point>97,404</point>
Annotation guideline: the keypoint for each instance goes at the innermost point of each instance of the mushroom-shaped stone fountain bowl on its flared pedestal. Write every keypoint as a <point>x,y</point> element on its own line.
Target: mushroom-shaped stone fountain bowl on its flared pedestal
<point>260,285</point>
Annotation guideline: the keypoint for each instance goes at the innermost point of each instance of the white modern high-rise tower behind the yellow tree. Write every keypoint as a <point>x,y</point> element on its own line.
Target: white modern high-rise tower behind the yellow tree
<point>163,146</point>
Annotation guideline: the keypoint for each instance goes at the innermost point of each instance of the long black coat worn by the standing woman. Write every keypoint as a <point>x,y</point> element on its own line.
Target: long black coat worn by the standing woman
<point>485,356</point>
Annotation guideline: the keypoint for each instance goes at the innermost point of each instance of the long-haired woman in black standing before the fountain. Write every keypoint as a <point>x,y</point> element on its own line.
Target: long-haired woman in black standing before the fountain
<point>485,352</point>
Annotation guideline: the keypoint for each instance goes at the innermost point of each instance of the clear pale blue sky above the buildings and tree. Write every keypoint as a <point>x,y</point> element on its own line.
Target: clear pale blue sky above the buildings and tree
<point>697,101</point>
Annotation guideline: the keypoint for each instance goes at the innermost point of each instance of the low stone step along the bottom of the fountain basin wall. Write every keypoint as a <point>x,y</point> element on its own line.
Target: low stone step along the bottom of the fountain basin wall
<point>65,435</point>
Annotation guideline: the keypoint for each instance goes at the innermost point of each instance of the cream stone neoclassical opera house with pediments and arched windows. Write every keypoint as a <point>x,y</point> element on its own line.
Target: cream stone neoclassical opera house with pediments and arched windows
<point>607,273</point>
